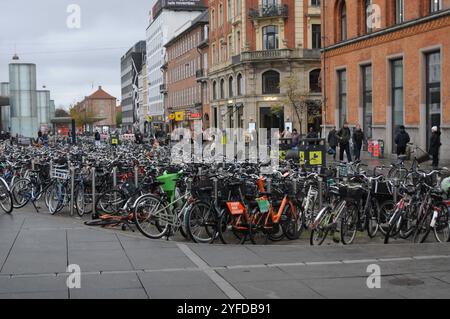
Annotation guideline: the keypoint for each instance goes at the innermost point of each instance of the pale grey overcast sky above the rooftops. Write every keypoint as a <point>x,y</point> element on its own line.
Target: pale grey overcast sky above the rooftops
<point>71,61</point>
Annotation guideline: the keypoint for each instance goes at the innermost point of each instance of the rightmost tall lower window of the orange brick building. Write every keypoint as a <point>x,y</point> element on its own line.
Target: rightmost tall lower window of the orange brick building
<point>433,88</point>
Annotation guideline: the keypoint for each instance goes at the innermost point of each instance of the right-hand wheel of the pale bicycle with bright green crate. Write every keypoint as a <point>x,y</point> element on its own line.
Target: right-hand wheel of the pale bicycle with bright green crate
<point>201,223</point>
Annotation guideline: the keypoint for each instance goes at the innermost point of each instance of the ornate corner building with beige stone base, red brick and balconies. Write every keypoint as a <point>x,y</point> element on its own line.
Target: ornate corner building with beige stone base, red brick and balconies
<point>254,46</point>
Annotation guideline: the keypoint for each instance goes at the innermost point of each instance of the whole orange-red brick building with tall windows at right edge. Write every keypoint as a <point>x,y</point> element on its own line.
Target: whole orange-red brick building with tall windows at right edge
<point>387,64</point>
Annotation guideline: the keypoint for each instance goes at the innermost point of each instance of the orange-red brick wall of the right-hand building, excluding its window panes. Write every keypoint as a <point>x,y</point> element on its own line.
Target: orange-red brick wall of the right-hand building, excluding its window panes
<point>420,33</point>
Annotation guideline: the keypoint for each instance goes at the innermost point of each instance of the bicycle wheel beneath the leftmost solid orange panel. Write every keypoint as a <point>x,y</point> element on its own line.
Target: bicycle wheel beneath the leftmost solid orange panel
<point>231,230</point>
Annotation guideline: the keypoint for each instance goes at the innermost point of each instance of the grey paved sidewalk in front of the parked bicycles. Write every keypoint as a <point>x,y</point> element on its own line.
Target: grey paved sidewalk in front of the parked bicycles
<point>35,250</point>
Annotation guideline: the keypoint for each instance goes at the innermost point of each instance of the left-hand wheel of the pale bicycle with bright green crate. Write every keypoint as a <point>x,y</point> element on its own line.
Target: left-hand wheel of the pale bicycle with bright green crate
<point>152,217</point>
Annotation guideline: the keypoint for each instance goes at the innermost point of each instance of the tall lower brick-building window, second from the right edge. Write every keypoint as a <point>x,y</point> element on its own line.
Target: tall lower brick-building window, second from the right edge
<point>397,95</point>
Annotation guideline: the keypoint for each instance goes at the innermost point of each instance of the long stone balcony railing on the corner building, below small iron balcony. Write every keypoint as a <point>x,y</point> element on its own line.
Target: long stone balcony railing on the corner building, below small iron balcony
<point>280,54</point>
